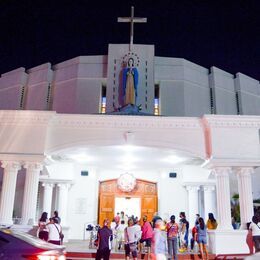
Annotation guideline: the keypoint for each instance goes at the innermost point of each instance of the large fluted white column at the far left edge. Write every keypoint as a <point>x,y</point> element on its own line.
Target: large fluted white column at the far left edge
<point>8,191</point>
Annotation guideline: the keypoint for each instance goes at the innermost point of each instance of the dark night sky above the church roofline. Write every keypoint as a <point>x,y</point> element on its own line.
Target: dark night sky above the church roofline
<point>225,34</point>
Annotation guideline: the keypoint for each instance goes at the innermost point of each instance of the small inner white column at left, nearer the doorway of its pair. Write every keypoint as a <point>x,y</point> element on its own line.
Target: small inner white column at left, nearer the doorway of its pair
<point>63,190</point>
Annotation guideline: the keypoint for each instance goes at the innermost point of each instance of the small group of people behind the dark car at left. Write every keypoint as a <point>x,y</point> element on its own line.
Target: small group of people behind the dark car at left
<point>49,229</point>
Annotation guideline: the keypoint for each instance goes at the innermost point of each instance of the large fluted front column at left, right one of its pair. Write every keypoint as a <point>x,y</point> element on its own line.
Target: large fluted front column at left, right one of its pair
<point>30,192</point>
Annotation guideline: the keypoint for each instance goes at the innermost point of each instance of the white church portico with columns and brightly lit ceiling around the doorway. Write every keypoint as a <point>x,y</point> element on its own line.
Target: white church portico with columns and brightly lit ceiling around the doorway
<point>83,150</point>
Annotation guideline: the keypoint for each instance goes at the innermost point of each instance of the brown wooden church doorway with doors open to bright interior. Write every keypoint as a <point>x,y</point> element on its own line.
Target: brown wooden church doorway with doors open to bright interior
<point>144,195</point>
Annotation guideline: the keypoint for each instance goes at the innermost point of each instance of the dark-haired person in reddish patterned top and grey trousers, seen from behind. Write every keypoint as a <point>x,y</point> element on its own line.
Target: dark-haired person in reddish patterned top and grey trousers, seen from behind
<point>172,229</point>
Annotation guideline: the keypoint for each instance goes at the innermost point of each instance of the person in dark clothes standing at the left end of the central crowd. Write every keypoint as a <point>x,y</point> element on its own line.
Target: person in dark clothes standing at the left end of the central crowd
<point>104,238</point>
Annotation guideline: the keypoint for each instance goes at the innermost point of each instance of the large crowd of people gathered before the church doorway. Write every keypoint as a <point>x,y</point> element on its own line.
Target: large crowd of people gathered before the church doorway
<point>159,239</point>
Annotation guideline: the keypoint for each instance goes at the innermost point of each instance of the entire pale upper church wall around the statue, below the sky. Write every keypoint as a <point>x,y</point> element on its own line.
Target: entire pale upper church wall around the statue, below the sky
<point>74,86</point>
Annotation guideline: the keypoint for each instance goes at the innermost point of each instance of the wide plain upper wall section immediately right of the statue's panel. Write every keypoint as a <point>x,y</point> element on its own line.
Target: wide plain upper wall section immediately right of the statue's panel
<point>184,87</point>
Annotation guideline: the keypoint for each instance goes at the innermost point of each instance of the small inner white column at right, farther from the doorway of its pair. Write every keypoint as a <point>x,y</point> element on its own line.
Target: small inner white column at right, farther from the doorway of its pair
<point>209,200</point>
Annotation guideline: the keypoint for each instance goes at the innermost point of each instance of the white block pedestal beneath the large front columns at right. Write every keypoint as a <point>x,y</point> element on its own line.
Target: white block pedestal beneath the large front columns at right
<point>229,242</point>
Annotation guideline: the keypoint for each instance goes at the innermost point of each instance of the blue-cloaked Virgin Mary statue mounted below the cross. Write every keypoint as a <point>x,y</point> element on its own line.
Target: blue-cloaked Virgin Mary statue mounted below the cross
<point>130,82</point>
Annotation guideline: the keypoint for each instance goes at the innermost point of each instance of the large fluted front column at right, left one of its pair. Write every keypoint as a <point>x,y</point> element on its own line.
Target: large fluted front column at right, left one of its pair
<point>223,197</point>
